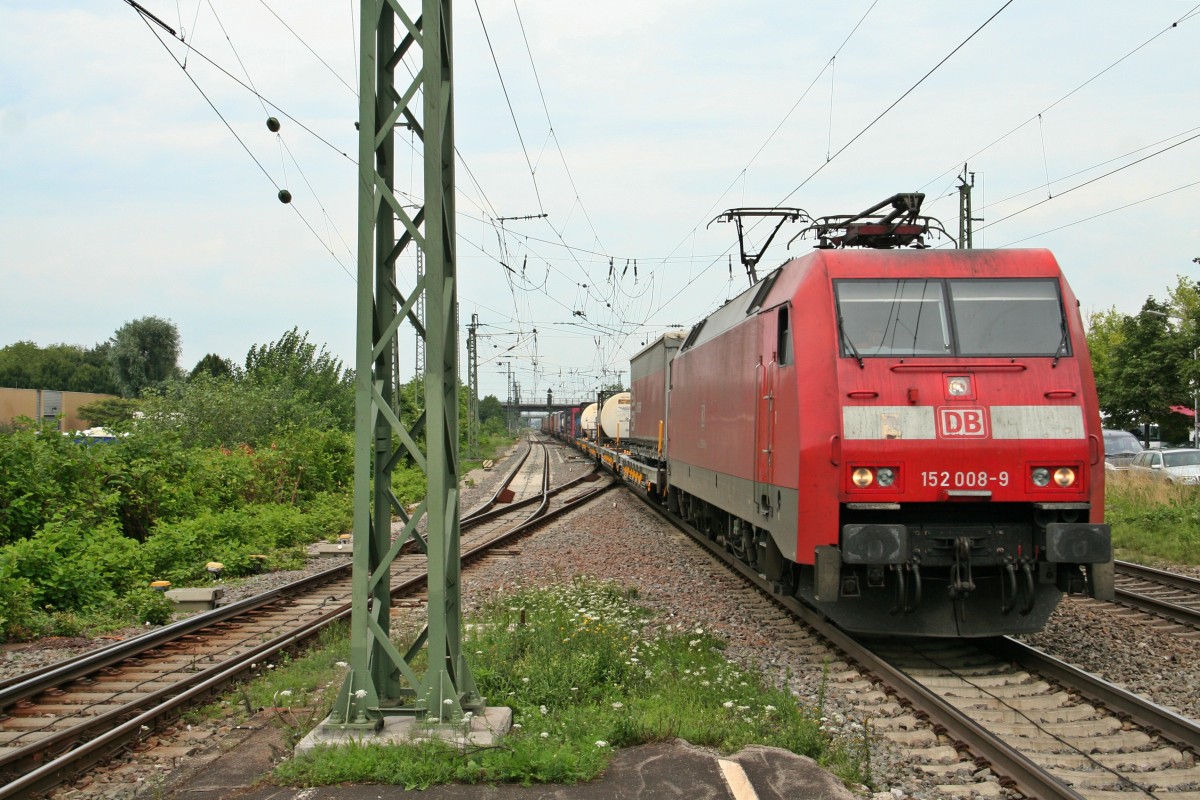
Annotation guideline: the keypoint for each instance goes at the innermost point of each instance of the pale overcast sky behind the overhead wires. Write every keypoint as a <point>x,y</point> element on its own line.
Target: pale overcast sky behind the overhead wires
<point>127,190</point>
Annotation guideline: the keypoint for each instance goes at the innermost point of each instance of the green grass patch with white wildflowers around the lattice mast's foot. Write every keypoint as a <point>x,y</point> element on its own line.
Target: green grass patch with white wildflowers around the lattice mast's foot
<point>586,671</point>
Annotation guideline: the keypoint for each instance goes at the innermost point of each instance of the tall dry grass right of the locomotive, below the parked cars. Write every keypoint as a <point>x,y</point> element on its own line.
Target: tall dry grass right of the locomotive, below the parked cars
<point>1154,522</point>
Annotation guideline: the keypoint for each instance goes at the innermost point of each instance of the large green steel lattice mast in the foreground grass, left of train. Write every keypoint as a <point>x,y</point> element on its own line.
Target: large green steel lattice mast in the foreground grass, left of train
<point>383,681</point>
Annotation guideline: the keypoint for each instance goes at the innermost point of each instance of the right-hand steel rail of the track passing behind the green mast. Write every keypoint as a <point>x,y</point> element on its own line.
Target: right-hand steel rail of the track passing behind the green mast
<point>205,683</point>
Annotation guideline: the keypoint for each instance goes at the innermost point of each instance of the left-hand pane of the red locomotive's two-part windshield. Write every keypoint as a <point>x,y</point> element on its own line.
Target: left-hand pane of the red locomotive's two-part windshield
<point>892,318</point>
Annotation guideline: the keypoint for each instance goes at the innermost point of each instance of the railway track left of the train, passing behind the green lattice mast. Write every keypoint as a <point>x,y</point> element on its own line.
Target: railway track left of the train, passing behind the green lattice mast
<point>59,721</point>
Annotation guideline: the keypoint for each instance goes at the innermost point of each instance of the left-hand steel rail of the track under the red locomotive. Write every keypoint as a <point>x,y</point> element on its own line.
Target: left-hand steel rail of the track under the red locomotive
<point>1003,759</point>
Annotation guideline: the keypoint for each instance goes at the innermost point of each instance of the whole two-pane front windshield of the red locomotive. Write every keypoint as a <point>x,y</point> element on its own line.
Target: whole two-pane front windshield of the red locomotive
<point>928,317</point>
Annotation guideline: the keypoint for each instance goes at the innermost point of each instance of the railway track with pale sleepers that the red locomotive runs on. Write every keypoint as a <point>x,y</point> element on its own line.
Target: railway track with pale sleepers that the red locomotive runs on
<point>999,707</point>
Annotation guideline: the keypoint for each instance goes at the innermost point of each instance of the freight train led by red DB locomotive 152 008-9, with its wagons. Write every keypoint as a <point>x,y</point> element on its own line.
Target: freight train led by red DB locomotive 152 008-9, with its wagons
<point>908,440</point>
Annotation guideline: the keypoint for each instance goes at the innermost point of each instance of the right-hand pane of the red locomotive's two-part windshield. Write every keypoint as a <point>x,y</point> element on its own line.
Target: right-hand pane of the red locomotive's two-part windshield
<point>1009,317</point>
